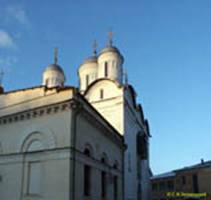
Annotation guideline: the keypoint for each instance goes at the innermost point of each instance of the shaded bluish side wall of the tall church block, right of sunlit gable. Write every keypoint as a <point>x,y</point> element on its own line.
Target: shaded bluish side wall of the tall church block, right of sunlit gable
<point>134,125</point>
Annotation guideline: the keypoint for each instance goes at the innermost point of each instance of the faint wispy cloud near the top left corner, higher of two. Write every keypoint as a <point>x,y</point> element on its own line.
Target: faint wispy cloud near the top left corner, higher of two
<point>17,13</point>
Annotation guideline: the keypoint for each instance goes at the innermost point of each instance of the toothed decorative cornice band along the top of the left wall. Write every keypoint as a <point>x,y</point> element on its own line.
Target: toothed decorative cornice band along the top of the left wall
<point>38,112</point>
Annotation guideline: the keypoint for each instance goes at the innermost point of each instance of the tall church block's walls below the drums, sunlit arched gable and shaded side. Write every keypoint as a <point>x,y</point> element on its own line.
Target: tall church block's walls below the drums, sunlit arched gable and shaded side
<point>119,107</point>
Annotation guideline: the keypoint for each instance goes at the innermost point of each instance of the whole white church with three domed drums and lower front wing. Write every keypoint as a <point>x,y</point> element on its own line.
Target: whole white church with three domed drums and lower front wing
<point>90,142</point>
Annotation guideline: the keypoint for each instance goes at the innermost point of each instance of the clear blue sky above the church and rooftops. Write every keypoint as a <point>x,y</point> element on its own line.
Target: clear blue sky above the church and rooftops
<point>167,50</point>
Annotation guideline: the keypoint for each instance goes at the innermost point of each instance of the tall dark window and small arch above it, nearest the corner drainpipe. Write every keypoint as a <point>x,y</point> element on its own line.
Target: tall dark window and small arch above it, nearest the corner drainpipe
<point>87,175</point>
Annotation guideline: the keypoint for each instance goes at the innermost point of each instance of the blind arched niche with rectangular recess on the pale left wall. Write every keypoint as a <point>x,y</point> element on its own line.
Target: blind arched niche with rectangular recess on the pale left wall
<point>36,140</point>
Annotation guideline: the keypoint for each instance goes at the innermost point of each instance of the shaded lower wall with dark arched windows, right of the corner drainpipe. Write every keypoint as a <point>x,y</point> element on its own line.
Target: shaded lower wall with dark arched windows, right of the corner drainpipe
<point>93,136</point>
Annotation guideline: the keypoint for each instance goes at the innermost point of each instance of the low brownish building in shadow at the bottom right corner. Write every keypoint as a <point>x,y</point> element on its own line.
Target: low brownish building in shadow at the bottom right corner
<point>193,182</point>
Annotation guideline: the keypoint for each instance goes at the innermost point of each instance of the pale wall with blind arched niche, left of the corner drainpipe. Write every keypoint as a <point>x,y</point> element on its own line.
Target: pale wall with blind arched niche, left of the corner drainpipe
<point>20,148</point>
